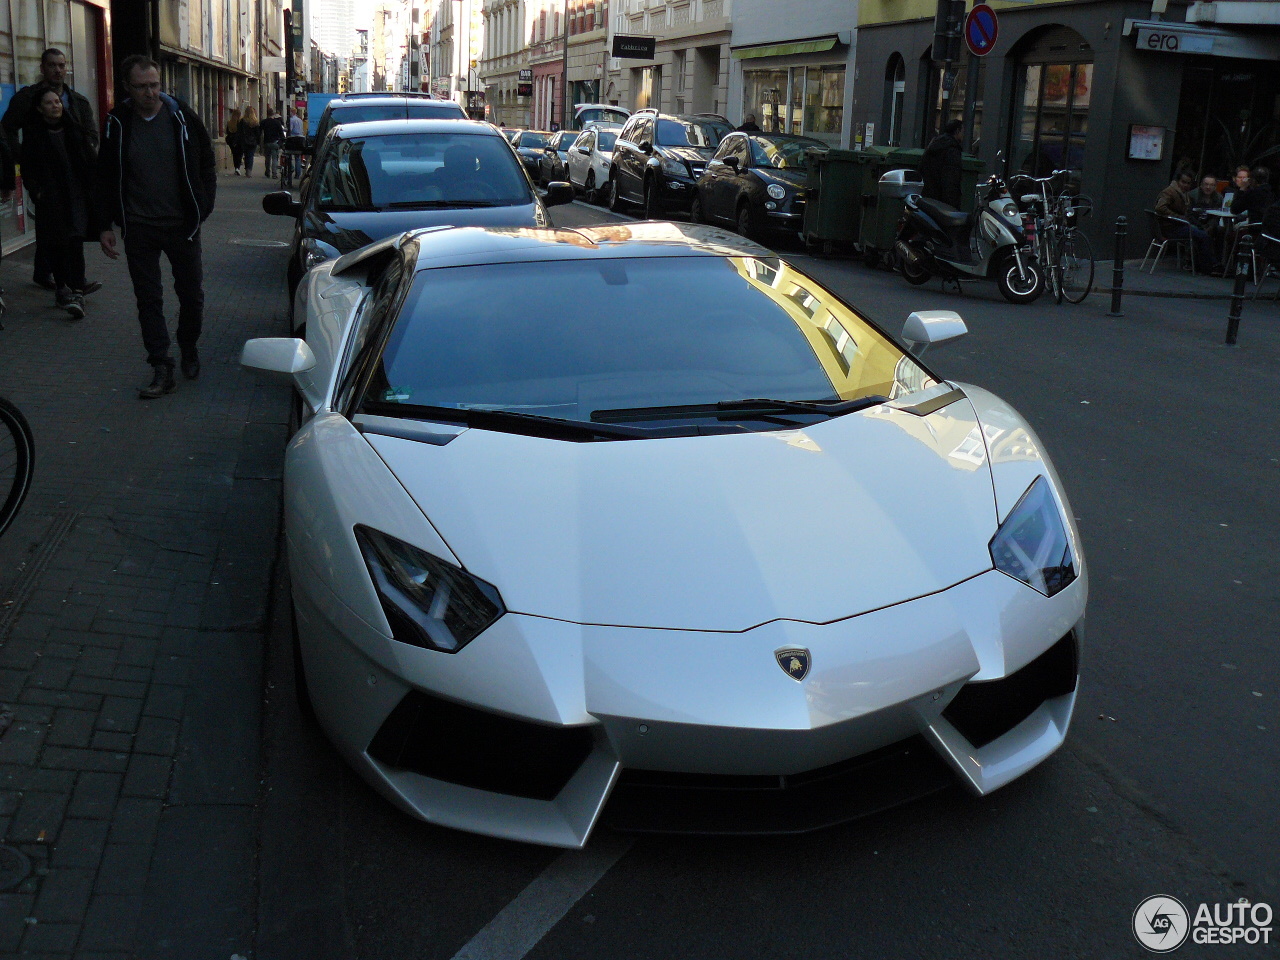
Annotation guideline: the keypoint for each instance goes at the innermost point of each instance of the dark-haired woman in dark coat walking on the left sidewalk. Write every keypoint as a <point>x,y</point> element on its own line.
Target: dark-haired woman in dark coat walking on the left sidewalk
<point>58,164</point>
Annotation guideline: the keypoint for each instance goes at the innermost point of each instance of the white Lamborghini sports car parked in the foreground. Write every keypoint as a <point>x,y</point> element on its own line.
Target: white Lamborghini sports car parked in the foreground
<point>554,565</point>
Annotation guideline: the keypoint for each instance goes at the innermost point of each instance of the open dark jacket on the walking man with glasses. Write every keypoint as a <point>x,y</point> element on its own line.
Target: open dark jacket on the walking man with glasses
<point>194,147</point>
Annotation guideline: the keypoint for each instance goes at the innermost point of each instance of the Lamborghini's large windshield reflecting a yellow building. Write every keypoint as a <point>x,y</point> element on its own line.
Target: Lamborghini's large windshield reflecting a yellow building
<point>679,331</point>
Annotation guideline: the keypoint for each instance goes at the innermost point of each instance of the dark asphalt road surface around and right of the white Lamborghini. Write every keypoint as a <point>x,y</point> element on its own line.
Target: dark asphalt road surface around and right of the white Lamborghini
<point>1168,444</point>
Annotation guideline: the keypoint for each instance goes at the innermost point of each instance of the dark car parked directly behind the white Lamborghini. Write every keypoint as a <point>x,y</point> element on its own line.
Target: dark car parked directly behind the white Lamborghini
<point>382,179</point>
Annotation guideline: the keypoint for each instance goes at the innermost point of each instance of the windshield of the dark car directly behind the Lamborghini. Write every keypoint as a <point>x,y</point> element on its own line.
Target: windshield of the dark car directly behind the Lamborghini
<point>428,170</point>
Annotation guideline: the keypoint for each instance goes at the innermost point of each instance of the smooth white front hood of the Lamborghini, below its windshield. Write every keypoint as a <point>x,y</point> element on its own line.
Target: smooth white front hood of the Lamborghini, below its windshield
<point>716,533</point>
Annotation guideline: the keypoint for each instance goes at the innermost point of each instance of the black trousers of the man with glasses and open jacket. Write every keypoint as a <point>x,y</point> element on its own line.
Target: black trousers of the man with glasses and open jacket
<point>143,249</point>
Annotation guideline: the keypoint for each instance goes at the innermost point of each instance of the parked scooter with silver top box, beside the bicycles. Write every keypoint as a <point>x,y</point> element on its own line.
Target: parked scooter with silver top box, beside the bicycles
<point>936,240</point>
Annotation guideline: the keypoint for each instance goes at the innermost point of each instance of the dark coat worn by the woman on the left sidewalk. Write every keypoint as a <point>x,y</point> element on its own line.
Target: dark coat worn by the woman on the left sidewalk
<point>61,182</point>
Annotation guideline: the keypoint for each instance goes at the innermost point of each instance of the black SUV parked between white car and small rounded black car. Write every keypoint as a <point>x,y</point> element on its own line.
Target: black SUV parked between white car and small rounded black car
<point>659,159</point>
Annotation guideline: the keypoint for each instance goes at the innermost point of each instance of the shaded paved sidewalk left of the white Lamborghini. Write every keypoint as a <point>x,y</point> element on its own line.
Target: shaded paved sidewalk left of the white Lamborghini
<point>134,602</point>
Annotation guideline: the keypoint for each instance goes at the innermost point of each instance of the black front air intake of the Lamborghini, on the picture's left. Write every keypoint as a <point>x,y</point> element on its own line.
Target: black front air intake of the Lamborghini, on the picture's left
<point>473,748</point>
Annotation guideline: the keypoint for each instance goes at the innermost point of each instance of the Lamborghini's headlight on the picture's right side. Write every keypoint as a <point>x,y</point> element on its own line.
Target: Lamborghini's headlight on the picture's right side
<point>1032,545</point>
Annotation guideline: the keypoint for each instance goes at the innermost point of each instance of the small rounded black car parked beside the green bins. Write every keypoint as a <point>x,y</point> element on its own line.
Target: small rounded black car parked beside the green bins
<point>756,184</point>
